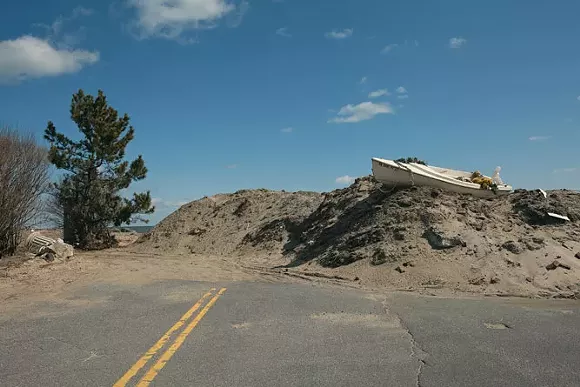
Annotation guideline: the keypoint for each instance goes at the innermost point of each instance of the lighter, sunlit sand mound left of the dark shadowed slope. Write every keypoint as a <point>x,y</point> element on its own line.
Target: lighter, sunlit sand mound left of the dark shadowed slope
<point>217,225</point>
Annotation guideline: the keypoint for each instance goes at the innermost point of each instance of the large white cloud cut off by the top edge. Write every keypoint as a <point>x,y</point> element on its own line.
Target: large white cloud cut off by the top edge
<point>170,18</point>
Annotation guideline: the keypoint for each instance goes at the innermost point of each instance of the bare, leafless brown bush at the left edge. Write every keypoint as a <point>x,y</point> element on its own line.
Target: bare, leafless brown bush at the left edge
<point>23,179</point>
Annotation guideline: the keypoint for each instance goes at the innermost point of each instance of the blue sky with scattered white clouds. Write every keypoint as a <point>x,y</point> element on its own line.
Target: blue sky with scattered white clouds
<point>298,94</point>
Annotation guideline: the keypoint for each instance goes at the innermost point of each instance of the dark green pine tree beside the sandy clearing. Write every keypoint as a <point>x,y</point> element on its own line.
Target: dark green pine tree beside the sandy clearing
<point>96,173</point>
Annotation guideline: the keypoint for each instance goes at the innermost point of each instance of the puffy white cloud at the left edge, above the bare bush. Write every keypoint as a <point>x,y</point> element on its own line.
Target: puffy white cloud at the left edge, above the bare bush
<point>29,57</point>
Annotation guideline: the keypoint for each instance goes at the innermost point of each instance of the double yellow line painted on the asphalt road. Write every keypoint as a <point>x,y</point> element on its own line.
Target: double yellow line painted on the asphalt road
<point>164,358</point>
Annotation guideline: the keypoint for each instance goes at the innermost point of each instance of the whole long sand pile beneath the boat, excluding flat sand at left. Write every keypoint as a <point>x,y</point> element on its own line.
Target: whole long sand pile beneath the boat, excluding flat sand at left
<point>410,238</point>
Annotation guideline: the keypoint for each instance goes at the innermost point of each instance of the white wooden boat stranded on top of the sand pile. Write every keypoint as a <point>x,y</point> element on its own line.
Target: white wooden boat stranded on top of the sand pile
<point>397,174</point>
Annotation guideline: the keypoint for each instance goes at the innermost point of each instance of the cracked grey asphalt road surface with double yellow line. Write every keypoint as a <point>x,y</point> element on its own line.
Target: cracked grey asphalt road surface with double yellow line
<point>264,334</point>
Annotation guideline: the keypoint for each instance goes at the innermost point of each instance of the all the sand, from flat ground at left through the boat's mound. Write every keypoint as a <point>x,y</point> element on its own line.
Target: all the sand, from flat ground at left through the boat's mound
<point>364,236</point>
